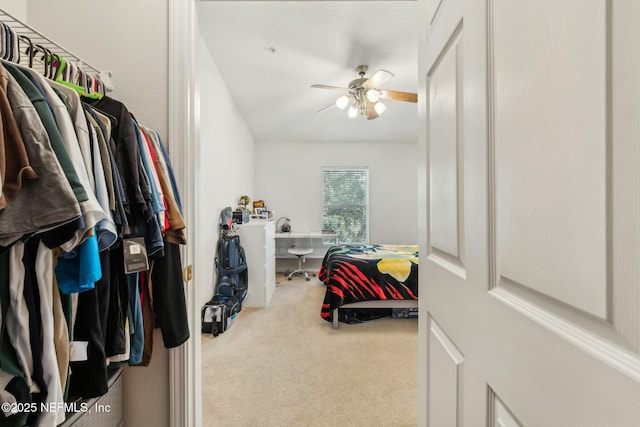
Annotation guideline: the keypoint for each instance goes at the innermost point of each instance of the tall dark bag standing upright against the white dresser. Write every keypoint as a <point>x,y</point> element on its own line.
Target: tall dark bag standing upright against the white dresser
<point>231,264</point>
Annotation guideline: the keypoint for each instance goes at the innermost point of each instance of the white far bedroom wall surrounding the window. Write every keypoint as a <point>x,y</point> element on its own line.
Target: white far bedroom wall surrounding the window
<point>289,180</point>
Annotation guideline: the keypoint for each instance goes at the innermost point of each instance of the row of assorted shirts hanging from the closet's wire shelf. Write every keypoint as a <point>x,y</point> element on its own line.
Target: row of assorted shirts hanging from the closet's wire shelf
<point>78,174</point>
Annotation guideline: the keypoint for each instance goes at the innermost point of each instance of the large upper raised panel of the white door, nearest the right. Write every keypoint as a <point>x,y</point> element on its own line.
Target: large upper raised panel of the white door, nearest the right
<point>549,109</point>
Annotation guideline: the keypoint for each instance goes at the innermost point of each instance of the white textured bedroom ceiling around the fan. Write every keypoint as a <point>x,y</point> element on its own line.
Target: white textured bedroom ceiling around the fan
<point>270,53</point>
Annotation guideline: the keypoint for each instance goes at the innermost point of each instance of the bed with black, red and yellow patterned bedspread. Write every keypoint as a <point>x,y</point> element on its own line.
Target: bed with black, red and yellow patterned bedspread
<point>368,276</point>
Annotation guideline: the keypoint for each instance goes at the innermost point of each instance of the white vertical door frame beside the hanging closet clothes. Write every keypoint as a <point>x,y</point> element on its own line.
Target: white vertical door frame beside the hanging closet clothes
<point>185,386</point>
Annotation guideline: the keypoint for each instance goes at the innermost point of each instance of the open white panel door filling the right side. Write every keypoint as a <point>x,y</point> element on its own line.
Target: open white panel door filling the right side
<point>530,213</point>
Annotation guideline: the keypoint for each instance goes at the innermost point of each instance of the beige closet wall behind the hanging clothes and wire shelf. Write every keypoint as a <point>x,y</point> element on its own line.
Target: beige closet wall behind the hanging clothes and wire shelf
<point>130,39</point>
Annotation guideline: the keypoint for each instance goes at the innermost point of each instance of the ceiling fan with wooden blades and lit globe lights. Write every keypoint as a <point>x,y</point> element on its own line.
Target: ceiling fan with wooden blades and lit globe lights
<point>364,94</point>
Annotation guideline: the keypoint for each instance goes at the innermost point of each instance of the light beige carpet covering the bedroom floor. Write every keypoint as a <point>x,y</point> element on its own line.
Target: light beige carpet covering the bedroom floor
<point>285,366</point>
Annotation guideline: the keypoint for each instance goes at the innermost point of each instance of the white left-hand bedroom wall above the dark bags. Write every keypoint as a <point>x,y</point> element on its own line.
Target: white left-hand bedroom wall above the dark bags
<point>227,164</point>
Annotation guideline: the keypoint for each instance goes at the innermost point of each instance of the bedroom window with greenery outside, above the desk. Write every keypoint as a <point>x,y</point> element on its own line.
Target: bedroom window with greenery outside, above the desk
<point>345,202</point>
